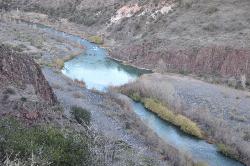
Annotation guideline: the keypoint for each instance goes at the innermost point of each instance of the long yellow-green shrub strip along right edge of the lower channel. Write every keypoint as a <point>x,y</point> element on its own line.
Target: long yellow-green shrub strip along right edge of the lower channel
<point>185,124</point>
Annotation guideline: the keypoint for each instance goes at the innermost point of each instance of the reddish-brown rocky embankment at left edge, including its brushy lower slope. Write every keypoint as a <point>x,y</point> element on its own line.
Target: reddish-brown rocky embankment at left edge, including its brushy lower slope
<point>24,91</point>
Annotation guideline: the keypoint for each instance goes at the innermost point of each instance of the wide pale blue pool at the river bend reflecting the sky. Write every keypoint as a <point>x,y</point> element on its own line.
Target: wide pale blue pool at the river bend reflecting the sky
<point>97,70</point>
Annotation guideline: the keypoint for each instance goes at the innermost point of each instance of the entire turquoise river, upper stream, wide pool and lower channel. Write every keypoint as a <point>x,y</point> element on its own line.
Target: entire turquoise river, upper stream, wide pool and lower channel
<point>98,71</point>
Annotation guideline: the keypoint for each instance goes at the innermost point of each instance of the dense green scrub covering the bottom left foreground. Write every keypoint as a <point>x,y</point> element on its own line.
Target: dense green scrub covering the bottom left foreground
<point>47,143</point>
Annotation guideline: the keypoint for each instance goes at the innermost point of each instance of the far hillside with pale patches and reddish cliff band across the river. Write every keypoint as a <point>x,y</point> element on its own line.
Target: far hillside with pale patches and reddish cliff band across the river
<point>207,38</point>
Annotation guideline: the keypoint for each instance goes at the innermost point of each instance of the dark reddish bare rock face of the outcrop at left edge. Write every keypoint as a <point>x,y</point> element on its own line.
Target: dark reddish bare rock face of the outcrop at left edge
<point>20,70</point>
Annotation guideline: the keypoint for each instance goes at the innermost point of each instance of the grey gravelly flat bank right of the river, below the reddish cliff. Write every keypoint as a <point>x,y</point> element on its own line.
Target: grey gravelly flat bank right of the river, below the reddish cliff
<point>219,111</point>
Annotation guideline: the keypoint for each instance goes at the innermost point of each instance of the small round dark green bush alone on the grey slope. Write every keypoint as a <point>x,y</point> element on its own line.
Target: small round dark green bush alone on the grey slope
<point>81,115</point>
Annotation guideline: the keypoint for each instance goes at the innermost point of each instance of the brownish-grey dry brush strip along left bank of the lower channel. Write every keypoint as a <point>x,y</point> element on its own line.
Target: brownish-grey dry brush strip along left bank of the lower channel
<point>134,125</point>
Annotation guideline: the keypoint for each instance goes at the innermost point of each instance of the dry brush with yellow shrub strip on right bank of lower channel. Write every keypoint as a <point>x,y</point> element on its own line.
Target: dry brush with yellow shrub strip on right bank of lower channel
<point>160,96</point>
